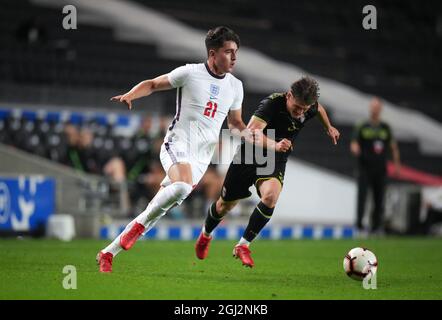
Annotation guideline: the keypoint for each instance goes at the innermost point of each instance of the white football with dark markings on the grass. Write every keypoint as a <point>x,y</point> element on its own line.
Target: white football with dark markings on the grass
<point>360,263</point>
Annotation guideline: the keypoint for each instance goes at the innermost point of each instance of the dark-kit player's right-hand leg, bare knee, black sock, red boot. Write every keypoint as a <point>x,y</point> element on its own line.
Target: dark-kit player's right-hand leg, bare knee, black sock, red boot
<point>269,190</point>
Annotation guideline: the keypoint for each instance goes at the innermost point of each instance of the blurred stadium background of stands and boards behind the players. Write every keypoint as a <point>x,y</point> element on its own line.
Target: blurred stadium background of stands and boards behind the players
<point>73,164</point>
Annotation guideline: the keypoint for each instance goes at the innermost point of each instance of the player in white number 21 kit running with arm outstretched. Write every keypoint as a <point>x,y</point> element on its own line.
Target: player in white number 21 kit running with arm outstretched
<point>207,93</point>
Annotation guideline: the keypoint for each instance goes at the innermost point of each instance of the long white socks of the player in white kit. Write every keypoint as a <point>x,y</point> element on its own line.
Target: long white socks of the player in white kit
<point>163,201</point>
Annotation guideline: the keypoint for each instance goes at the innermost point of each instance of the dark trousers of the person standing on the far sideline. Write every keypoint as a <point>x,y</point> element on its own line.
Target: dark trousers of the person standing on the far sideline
<point>376,181</point>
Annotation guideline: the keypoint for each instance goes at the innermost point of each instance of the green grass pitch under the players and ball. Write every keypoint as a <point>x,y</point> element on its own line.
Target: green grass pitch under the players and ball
<point>409,268</point>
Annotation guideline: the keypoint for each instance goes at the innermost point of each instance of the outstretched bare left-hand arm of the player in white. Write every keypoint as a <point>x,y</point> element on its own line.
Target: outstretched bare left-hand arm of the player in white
<point>143,89</point>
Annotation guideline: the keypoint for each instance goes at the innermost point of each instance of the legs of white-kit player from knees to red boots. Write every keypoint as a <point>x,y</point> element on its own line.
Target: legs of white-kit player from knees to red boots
<point>174,194</point>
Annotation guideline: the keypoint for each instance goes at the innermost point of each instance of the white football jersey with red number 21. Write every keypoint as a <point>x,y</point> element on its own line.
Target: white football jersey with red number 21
<point>203,102</point>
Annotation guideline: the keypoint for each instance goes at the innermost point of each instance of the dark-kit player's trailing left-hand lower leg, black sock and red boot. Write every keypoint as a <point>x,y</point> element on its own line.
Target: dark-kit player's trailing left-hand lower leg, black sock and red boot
<point>216,213</point>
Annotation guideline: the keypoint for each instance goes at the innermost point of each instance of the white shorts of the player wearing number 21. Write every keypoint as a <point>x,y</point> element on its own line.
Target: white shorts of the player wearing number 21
<point>176,152</point>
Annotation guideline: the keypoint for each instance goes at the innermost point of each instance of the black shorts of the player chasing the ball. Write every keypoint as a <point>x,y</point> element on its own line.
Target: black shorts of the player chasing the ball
<point>240,177</point>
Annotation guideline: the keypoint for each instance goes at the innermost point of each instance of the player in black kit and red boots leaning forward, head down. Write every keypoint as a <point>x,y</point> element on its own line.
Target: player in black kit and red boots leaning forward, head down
<point>285,113</point>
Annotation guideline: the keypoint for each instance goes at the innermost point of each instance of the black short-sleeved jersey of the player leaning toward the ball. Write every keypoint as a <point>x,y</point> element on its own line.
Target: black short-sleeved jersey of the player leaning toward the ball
<point>273,110</point>
